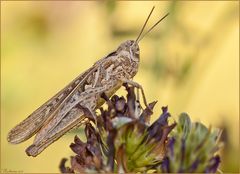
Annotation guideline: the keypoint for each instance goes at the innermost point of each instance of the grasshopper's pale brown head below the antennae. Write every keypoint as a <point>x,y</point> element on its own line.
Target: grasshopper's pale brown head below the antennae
<point>130,49</point>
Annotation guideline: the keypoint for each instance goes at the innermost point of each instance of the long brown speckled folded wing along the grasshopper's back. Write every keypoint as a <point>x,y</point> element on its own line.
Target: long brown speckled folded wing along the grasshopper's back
<point>28,127</point>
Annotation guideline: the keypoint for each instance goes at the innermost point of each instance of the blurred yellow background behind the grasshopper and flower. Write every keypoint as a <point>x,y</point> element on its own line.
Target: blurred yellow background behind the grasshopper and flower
<point>190,62</point>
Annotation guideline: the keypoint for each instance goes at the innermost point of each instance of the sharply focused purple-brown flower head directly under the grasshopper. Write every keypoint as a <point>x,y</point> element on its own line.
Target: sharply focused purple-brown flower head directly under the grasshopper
<point>122,140</point>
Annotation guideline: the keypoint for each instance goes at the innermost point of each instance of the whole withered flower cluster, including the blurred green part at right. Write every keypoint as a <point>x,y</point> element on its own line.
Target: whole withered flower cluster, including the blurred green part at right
<point>123,140</point>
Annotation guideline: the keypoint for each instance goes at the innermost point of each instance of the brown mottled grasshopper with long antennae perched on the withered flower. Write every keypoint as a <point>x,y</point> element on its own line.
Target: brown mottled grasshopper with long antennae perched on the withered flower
<point>67,109</point>
